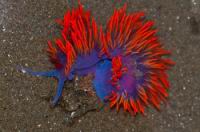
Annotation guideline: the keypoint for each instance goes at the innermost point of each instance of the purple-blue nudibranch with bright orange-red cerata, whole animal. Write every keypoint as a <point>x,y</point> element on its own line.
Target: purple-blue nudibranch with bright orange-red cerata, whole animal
<point>126,60</point>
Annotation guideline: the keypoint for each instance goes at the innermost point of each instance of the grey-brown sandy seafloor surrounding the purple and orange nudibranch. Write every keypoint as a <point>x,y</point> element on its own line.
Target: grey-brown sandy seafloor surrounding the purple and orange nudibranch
<point>25,27</point>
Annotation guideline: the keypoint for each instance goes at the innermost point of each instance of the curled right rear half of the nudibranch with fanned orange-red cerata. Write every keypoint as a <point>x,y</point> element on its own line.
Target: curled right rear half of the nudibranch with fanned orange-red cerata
<point>137,76</point>
